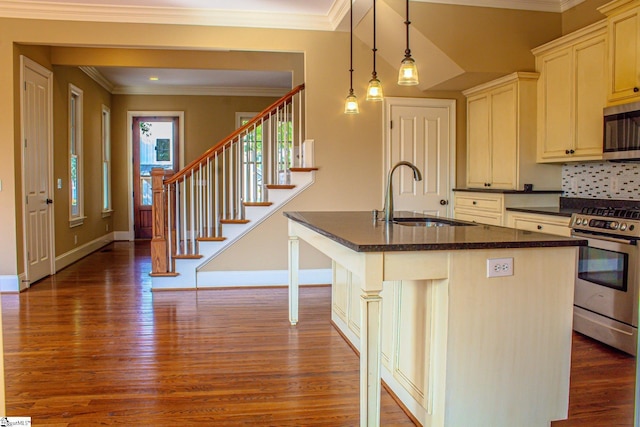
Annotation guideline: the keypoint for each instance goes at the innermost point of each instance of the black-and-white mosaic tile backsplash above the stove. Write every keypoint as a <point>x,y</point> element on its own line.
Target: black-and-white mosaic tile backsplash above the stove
<point>601,180</point>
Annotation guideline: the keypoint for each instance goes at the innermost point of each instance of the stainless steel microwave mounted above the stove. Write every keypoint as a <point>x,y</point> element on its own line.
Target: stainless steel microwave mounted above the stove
<point>622,132</point>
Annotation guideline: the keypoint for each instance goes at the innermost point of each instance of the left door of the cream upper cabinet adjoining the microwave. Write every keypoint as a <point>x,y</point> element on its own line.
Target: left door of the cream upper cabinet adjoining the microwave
<point>555,105</point>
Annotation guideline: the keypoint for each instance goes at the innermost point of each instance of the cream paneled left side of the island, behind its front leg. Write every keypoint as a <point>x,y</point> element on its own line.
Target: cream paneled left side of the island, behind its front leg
<point>407,309</point>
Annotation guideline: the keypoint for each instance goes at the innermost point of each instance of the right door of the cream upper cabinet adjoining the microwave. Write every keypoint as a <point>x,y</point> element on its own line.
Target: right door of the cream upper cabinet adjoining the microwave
<point>590,97</point>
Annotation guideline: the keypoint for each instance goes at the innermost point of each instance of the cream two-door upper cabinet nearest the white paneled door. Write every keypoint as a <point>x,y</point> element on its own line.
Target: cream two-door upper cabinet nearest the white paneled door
<point>501,136</point>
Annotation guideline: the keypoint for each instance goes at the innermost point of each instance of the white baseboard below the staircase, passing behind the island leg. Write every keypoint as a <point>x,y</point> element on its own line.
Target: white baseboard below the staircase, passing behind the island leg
<point>216,279</point>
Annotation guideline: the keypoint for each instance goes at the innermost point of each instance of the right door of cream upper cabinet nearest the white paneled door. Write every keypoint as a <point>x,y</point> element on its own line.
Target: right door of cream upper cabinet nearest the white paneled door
<point>504,137</point>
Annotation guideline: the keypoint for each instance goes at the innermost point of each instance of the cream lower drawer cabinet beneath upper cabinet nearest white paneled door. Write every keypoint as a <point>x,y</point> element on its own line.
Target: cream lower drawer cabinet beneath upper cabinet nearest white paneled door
<point>489,208</point>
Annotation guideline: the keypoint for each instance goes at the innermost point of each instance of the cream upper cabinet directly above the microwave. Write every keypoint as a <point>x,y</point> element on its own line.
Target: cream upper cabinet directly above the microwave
<point>623,82</point>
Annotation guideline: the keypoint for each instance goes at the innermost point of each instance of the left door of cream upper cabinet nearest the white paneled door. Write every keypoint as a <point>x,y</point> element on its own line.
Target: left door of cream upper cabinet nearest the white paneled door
<point>478,150</point>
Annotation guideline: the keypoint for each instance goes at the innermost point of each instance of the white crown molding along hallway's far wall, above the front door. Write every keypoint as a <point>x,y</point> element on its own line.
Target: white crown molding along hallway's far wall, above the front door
<point>200,91</point>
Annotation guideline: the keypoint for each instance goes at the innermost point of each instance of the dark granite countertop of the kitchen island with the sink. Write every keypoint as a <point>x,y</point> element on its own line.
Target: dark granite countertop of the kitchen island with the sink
<point>359,232</point>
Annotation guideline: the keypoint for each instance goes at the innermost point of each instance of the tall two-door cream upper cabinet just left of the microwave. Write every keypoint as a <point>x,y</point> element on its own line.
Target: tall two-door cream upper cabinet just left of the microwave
<point>572,95</point>
